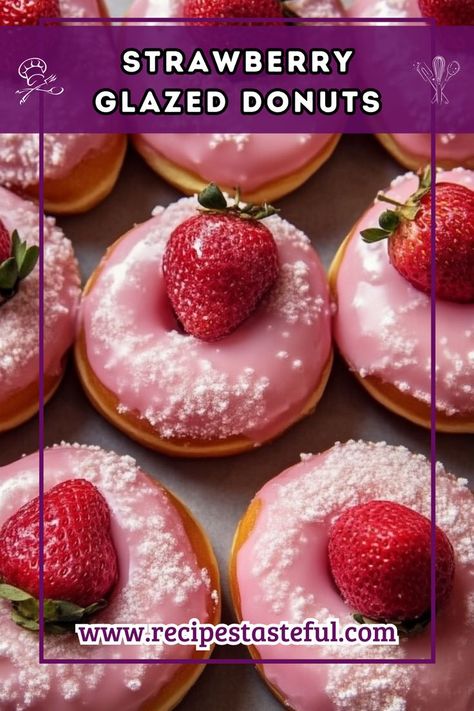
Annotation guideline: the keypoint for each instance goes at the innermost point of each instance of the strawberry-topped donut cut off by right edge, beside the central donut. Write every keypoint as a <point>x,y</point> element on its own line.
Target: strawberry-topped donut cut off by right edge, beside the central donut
<point>381,279</point>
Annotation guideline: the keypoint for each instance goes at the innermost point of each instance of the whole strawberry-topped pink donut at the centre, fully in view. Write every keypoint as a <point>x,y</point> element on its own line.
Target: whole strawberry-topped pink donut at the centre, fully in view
<point>206,330</point>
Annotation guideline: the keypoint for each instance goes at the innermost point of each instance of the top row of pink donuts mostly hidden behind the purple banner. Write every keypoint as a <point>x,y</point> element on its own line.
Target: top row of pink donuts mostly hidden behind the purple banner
<point>81,169</point>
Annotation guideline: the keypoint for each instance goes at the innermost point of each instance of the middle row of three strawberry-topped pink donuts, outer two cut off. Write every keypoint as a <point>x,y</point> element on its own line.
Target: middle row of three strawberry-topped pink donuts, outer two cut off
<point>207,329</point>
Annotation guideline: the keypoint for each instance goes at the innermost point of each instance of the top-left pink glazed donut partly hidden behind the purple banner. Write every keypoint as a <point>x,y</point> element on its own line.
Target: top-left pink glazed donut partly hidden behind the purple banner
<point>80,169</point>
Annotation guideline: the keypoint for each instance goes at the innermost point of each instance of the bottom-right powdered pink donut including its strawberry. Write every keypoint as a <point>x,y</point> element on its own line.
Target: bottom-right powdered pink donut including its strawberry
<point>345,536</point>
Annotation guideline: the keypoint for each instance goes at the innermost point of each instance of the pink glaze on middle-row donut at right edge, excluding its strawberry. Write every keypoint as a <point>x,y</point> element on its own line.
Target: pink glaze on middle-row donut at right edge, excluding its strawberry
<point>382,325</point>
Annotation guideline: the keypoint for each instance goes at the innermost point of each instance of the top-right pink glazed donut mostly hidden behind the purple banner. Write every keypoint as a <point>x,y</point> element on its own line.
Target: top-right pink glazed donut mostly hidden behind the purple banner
<point>413,150</point>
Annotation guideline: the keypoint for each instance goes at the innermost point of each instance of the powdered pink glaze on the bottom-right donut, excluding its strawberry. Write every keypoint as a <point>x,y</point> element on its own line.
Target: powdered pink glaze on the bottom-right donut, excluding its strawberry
<point>283,574</point>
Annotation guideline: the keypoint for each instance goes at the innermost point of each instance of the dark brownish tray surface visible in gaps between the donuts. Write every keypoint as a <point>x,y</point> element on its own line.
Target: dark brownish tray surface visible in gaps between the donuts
<point>218,491</point>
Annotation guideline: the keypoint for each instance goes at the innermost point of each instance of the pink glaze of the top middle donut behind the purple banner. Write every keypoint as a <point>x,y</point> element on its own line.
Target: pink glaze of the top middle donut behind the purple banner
<point>248,160</point>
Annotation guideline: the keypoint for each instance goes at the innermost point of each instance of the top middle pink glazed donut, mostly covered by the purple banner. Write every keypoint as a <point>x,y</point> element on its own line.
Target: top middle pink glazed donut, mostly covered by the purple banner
<point>265,166</point>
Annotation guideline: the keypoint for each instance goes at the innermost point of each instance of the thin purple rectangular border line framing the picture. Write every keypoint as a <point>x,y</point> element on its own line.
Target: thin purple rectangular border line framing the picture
<point>250,661</point>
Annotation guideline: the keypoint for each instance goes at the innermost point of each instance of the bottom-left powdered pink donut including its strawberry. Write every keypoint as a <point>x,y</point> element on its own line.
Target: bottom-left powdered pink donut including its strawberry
<point>119,550</point>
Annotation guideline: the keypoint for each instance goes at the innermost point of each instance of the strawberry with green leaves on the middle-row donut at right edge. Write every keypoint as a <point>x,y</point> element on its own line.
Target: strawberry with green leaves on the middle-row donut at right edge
<point>408,229</point>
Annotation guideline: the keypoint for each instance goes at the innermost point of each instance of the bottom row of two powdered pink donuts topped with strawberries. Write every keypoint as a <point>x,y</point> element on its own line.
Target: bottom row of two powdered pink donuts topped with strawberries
<point>359,511</point>
